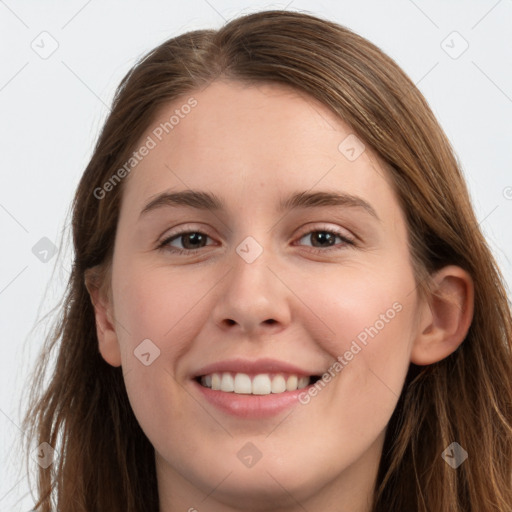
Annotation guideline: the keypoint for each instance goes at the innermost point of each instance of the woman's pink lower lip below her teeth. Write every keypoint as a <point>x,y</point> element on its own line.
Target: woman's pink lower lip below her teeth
<point>251,406</point>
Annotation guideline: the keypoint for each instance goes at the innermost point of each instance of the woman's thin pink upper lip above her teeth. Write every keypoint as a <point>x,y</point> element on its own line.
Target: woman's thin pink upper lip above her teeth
<point>264,365</point>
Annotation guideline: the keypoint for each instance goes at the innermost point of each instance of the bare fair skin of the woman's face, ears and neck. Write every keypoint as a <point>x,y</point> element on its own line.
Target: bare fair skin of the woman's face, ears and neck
<point>251,146</point>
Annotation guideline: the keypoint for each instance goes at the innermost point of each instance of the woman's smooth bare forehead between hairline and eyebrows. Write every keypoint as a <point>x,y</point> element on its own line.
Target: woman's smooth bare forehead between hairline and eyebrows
<point>239,139</point>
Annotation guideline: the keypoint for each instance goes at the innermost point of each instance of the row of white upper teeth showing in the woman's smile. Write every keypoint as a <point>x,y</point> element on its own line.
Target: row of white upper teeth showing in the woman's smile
<point>261,384</point>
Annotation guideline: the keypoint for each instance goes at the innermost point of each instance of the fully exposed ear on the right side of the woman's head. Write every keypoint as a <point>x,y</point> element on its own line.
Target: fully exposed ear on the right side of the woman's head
<point>445,317</point>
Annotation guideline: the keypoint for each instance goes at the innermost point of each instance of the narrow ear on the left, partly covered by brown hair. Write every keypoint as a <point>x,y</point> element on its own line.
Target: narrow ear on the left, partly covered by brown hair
<point>96,283</point>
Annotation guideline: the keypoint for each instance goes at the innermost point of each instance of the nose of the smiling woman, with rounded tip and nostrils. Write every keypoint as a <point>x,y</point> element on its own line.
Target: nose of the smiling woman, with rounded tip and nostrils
<point>253,299</point>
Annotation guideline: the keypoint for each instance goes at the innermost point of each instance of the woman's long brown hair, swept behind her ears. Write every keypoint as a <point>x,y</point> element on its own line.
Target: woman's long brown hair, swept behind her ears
<point>106,462</point>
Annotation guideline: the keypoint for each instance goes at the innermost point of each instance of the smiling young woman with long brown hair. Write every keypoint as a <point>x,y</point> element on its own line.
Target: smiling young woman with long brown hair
<point>273,367</point>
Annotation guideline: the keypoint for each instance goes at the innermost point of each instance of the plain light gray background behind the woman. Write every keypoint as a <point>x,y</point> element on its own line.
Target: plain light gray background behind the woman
<point>51,111</point>
